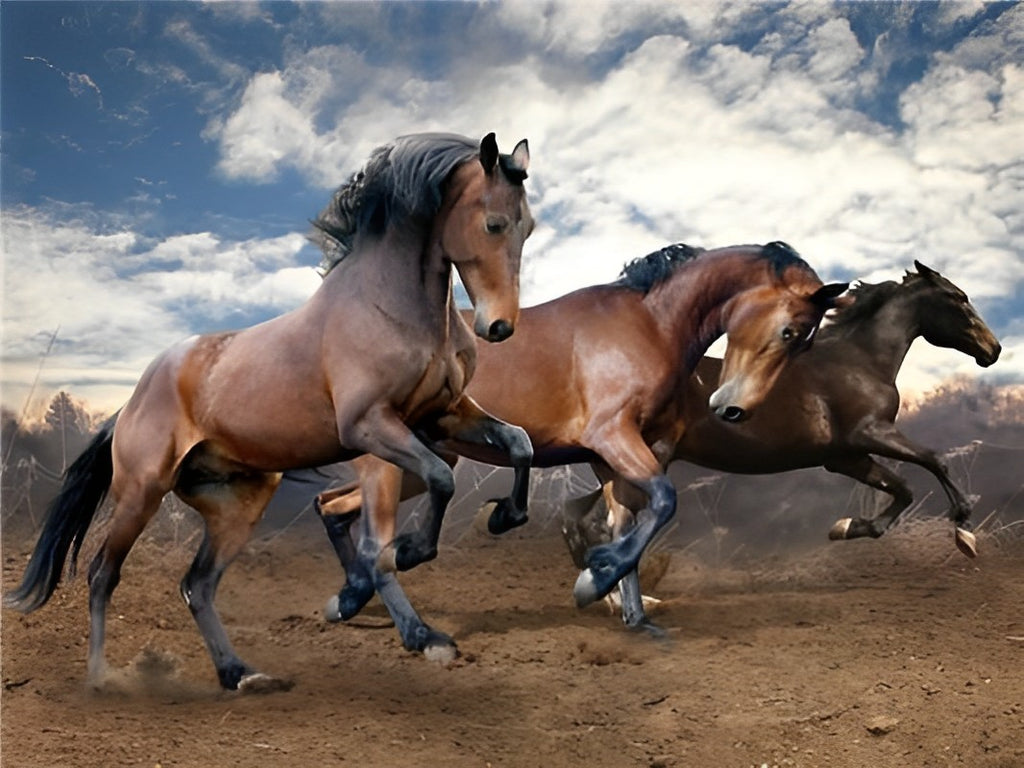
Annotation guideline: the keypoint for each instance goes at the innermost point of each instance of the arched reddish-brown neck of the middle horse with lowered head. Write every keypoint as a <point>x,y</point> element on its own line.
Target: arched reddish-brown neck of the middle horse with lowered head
<point>692,307</point>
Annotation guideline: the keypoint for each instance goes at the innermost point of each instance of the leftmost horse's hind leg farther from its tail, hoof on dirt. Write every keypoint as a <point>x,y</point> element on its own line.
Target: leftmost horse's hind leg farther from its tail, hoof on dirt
<point>232,506</point>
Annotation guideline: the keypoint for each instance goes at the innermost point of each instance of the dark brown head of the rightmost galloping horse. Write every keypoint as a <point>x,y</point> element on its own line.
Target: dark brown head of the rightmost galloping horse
<point>947,318</point>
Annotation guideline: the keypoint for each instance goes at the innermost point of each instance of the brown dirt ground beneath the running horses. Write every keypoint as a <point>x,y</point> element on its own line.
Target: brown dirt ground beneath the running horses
<point>895,653</point>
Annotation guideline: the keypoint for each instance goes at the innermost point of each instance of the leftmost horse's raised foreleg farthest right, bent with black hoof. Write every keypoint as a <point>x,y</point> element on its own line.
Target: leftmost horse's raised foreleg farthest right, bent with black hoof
<point>467,423</point>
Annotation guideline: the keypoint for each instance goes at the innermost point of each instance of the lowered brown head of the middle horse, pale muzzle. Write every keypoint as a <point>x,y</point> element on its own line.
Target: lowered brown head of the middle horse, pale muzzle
<point>767,326</point>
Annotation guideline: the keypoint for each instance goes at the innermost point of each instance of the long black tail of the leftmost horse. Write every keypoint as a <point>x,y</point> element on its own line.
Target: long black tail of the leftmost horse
<point>68,519</point>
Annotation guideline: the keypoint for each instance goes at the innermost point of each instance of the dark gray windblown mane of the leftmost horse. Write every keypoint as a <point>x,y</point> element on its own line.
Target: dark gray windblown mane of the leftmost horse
<point>401,181</point>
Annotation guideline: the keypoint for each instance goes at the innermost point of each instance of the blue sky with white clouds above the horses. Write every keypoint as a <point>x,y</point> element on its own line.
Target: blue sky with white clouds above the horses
<point>161,160</point>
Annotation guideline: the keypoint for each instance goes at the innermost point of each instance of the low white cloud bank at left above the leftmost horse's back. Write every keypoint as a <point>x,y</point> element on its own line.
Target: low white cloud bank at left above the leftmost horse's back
<point>117,302</point>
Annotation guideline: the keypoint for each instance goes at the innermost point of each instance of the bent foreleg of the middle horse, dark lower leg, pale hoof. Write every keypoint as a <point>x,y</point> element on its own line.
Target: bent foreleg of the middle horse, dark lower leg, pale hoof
<point>623,449</point>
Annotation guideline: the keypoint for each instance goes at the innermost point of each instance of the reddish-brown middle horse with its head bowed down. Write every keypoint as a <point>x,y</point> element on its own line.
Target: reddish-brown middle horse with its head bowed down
<point>593,377</point>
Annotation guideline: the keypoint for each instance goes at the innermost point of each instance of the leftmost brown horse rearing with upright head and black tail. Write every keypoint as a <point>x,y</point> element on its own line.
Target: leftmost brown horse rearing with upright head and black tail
<point>219,418</point>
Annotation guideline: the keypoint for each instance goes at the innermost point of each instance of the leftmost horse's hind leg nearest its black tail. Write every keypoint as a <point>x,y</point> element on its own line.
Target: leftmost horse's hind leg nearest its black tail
<point>134,510</point>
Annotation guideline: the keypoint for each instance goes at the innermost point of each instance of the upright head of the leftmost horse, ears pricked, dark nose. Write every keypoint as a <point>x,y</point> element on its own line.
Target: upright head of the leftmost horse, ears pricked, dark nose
<point>484,232</point>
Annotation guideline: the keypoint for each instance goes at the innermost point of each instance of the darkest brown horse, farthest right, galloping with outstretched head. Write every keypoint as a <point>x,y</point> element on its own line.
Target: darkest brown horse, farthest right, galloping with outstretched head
<point>835,407</point>
